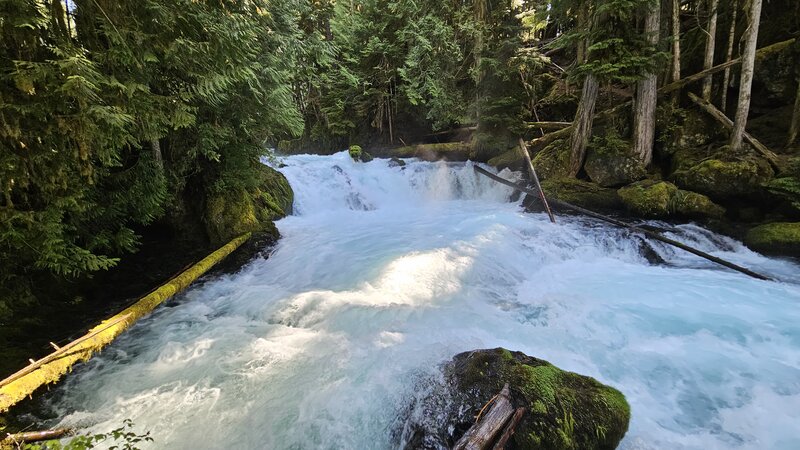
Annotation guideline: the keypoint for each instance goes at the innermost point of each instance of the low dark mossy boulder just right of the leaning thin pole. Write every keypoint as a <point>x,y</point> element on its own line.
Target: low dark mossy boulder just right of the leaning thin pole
<point>577,192</point>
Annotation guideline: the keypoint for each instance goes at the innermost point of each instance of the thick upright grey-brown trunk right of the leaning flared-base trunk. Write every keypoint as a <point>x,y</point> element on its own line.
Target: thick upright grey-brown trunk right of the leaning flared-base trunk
<point>644,117</point>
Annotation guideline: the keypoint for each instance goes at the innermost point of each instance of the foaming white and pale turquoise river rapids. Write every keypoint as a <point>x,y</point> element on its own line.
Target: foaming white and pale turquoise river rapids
<point>384,273</point>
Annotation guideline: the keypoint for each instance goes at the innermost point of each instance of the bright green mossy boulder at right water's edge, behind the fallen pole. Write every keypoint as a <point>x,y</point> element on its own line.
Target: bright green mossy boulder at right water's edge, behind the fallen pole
<point>661,199</point>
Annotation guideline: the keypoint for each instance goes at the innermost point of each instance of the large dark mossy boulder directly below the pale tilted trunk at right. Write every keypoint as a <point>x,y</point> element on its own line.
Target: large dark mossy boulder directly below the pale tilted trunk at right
<point>724,176</point>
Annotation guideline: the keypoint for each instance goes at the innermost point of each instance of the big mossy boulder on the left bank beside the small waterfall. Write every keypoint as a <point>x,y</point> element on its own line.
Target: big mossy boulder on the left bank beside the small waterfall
<point>236,211</point>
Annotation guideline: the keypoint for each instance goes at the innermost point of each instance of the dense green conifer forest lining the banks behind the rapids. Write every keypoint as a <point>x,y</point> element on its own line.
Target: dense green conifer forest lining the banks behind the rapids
<point>124,119</point>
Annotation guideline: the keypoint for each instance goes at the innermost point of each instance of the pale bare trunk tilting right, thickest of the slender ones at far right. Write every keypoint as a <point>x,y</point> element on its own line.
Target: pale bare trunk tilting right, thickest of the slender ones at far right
<point>746,83</point>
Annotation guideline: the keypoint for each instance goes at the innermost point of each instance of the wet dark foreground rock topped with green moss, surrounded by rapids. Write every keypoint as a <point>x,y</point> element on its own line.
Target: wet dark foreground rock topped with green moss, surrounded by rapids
<point>564,410</point>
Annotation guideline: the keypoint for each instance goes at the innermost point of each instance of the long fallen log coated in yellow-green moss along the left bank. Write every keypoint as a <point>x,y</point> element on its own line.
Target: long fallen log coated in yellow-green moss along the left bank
<point>51,368</point>
